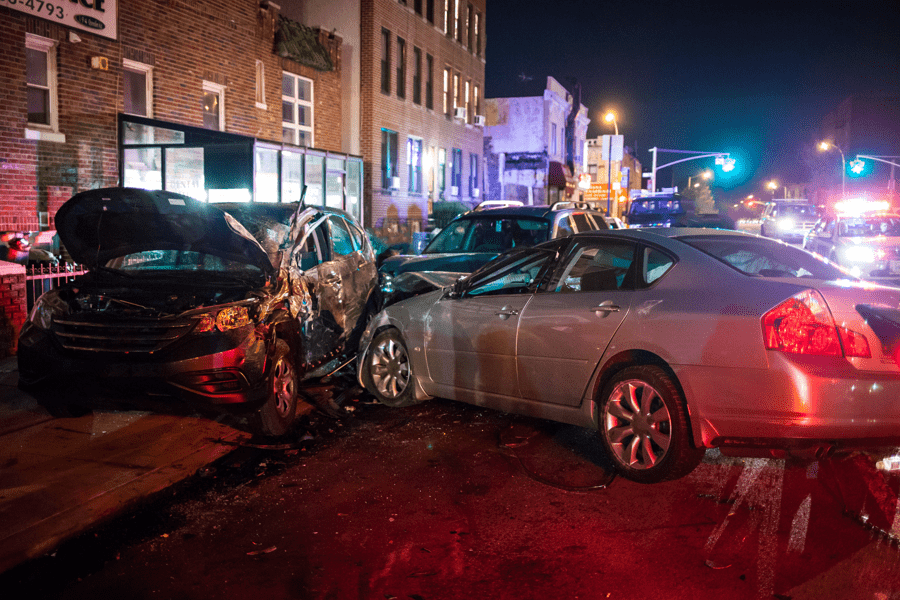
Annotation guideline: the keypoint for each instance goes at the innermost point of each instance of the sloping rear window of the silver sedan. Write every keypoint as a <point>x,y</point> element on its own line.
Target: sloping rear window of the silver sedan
<point>765,258</point>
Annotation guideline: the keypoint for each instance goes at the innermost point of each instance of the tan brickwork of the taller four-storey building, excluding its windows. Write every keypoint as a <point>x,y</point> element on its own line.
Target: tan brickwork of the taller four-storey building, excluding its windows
<point>395,214</point>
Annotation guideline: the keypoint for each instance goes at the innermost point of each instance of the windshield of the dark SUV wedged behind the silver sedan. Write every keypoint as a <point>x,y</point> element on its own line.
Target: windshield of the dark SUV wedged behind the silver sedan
<point>489,234</point>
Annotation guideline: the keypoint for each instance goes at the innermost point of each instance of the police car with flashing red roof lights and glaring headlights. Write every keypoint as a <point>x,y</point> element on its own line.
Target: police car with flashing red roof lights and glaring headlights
<point>863,237</point>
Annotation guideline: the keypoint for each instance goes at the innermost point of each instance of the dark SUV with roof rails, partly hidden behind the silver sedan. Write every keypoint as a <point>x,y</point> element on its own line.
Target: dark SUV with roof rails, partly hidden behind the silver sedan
<point>474,238</point>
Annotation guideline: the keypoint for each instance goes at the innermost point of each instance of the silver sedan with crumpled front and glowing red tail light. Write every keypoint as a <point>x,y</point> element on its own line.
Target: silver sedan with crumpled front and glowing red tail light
<point>668,341</point>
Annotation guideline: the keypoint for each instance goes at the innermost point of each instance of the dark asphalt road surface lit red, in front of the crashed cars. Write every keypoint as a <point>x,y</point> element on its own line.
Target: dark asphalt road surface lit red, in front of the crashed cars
<point>444,501</point>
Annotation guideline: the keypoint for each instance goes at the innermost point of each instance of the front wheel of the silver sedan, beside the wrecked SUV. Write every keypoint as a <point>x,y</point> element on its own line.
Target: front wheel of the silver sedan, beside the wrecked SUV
<point>387,370</point>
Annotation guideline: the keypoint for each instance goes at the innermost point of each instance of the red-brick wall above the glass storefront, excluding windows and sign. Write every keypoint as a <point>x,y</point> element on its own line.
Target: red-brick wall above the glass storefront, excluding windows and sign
<point>186,42</point>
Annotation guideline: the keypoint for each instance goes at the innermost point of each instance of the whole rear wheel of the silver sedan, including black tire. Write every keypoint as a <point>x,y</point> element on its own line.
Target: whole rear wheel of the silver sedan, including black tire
<point>641,448</point>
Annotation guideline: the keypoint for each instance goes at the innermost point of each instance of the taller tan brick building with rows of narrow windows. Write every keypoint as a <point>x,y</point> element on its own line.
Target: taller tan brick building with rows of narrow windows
<point>417,100</point>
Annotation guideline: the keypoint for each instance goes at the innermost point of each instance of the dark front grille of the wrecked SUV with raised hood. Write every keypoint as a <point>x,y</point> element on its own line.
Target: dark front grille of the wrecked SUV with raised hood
<point>134,335</point>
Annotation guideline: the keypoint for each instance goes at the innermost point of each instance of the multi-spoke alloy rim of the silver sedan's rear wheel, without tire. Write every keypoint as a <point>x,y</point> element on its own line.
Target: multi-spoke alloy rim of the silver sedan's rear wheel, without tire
<point>637,424</point>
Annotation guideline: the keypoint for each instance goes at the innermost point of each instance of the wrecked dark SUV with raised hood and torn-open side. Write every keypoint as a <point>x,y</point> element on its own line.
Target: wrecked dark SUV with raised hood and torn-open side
<point>224,306</point>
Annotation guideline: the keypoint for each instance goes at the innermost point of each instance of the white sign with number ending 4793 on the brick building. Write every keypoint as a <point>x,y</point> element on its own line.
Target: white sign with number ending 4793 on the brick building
<point>95,16</point>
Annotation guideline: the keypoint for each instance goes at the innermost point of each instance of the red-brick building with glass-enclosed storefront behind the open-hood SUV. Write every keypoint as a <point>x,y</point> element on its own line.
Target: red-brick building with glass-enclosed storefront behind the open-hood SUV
<point>218,99</point>
